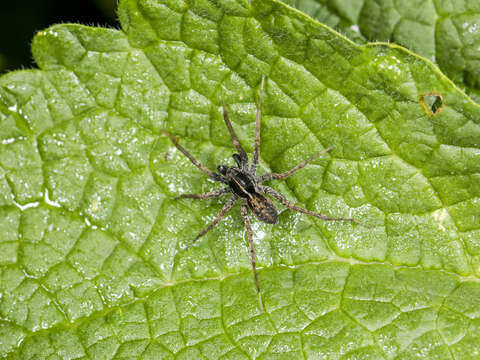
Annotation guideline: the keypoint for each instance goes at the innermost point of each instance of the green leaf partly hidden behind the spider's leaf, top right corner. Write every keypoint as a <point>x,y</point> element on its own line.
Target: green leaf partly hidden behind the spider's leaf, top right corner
<point>446,32</point>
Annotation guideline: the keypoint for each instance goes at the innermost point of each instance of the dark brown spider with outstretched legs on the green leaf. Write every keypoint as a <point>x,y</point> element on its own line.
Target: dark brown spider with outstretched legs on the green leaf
<point>243,184</point>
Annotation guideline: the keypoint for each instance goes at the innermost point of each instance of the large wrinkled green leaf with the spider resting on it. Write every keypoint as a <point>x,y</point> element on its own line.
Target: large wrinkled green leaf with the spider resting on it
<point>91,248</point>
